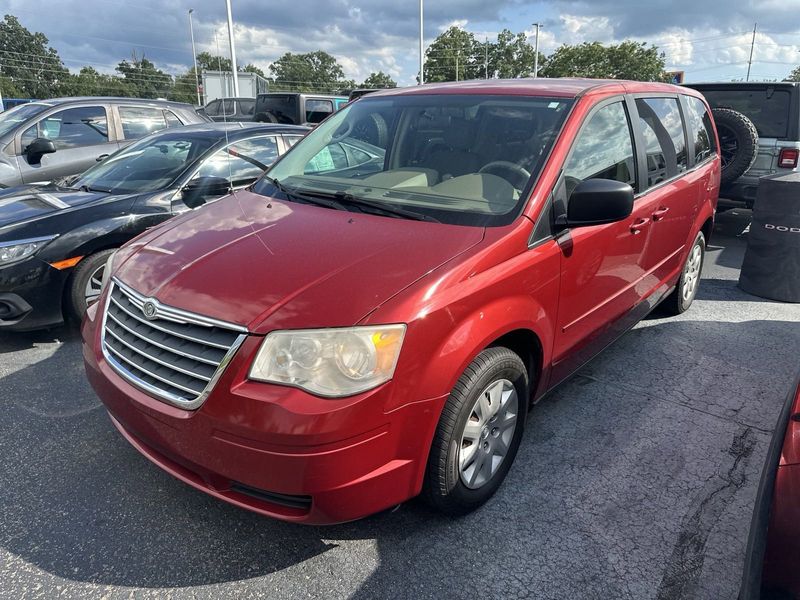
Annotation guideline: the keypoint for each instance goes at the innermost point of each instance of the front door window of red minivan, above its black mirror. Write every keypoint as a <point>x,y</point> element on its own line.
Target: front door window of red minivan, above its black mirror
<point>603,149</point>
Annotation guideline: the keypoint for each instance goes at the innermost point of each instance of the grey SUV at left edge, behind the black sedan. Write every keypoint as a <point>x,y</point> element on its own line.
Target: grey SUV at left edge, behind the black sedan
<point>49,139</point>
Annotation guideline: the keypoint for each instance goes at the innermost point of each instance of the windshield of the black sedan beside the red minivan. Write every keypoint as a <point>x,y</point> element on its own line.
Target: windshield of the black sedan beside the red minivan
<point>150,164</point>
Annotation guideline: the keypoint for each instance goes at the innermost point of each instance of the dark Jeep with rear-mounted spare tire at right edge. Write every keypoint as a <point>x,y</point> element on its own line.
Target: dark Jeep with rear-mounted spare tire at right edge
<point>759,132</point>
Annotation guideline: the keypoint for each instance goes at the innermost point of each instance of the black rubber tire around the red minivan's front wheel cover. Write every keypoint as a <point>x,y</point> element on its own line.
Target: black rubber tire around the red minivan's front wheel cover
<point>443,487</point>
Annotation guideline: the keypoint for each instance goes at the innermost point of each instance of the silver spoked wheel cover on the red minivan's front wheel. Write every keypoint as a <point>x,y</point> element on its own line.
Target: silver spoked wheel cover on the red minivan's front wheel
<point>488,433</point>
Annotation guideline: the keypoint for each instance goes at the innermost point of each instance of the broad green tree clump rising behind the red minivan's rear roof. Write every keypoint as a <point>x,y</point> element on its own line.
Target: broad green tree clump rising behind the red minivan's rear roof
<point>627,60</point>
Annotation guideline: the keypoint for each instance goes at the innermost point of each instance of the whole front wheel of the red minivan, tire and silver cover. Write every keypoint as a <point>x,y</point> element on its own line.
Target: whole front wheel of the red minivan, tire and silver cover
<point>478,434</point>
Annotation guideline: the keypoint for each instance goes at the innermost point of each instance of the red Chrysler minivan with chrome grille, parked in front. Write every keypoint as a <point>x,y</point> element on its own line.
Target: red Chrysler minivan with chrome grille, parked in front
<point>372,319</point>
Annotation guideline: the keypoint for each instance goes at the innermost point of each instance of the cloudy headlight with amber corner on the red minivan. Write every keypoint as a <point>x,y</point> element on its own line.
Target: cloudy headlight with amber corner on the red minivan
<point>334,362</point>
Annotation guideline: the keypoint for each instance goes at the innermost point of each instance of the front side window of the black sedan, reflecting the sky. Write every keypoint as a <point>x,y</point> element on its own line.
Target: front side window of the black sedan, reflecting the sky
<point>242,162</point>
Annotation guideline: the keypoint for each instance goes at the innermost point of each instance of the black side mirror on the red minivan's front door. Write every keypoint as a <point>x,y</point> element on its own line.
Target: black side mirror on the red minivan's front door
<point>597,202</point>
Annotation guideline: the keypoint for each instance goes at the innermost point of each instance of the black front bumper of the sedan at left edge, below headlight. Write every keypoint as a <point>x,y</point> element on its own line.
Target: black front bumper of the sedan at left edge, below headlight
<point>31,293</point>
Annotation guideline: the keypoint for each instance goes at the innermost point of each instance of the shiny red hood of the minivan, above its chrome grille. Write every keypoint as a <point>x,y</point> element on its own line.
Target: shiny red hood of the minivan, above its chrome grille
<point>268,264</point>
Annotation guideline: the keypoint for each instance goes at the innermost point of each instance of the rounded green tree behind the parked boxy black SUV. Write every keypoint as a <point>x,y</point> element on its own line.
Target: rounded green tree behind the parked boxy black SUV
<point>311,72</point>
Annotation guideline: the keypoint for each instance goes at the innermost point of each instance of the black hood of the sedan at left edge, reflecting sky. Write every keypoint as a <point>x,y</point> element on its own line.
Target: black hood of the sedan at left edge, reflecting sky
<point>24,203</point>
